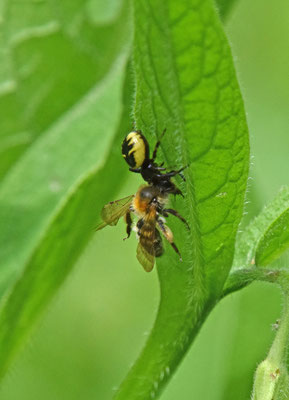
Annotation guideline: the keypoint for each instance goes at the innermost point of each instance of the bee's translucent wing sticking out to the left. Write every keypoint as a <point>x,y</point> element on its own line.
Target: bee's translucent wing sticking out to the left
<point>113,211</point>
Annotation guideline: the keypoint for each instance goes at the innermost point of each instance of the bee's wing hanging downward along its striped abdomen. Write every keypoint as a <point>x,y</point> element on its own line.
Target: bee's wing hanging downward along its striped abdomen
<point>146,249</point>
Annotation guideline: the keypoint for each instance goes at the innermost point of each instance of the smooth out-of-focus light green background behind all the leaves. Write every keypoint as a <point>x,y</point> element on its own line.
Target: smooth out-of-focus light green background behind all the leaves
<point>98,322</point>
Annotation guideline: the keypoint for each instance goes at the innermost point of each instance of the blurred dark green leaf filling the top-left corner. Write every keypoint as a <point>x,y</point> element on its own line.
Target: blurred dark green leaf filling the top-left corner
<point>51,54</point>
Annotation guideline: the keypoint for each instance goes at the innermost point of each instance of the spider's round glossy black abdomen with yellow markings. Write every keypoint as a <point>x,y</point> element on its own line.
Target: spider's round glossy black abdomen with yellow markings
<point>135,149</point>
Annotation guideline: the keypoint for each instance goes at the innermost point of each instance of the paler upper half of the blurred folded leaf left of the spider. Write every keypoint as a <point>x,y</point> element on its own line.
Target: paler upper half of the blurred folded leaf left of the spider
<point>33,191</point>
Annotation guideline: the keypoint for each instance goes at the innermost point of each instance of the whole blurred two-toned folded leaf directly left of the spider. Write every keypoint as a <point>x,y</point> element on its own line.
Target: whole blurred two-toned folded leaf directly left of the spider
<point>51,199</point>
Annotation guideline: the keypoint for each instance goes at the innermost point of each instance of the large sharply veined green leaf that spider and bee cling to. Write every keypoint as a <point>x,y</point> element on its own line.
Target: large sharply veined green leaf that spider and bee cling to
<point>185,82</point>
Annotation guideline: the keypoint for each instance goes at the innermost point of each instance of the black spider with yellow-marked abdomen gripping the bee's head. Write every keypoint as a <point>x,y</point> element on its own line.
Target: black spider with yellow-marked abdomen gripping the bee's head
<point>136,152</point>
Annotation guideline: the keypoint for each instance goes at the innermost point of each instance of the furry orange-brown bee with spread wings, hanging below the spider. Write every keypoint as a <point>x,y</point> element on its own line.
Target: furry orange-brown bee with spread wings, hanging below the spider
<point>149,205</point>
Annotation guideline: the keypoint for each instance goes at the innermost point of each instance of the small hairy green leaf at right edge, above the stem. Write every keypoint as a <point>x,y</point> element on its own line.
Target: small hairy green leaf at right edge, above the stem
<point>261,242</point>
